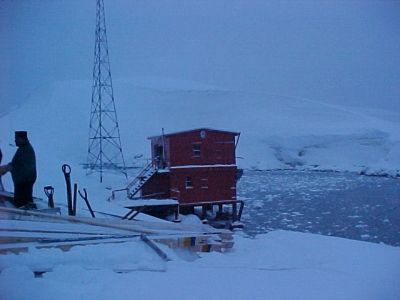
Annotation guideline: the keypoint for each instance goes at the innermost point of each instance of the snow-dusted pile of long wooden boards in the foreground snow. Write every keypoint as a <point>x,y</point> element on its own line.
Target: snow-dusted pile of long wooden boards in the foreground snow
<point>22,229</point>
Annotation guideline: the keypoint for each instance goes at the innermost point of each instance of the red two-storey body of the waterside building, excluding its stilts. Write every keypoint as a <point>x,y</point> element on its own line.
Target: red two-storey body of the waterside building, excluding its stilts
<point>194,166</point>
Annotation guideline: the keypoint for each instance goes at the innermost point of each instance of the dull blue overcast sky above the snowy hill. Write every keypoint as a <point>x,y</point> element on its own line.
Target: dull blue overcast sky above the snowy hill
<point>345,52</point>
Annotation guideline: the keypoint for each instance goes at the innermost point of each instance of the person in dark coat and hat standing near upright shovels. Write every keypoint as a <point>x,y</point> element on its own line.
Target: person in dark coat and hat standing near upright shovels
<point>23,171</point>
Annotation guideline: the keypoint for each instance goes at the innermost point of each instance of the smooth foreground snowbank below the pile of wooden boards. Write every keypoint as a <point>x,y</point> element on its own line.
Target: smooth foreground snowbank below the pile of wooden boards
<point>278,265</point>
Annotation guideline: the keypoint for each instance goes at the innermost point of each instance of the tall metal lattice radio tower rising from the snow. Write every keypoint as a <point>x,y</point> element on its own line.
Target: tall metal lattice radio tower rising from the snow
<point>104,151</point>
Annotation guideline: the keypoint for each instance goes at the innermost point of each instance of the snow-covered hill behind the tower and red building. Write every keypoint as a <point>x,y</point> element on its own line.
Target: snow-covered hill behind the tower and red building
<point>276,131</point>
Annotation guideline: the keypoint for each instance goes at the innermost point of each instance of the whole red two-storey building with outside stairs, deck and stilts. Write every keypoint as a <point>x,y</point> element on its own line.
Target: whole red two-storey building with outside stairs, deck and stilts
<point>197,168</point>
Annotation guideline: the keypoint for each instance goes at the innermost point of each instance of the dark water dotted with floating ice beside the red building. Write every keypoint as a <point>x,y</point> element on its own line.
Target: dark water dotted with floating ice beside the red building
<point>339,204</point>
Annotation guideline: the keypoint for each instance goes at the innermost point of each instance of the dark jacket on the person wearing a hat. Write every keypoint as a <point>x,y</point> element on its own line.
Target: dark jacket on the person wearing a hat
<point>24,164</point>
